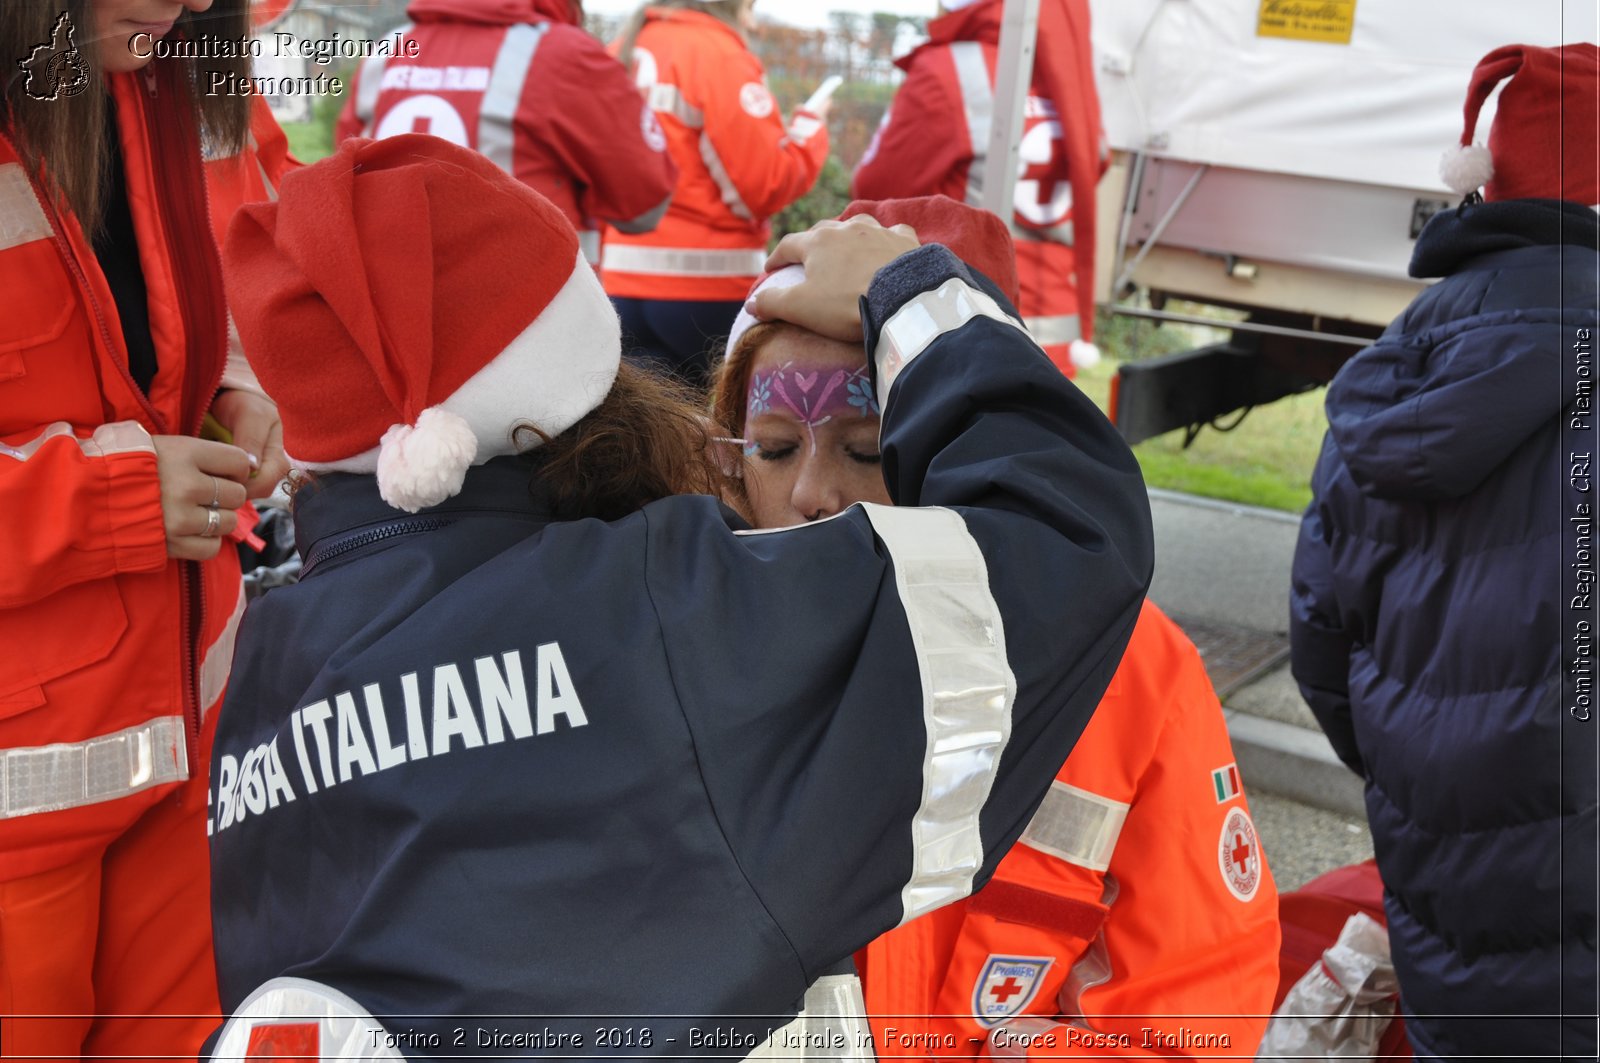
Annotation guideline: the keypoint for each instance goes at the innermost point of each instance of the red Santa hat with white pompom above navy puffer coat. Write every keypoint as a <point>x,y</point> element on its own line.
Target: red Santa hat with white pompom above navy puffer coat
<point>1545,134</point>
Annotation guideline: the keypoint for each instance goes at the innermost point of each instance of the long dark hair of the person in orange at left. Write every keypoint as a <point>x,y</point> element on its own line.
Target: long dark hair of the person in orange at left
<point>66,137</point>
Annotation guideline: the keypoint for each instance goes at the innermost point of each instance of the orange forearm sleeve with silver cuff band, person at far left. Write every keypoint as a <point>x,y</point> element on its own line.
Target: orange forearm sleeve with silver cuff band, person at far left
<point>82,510</point>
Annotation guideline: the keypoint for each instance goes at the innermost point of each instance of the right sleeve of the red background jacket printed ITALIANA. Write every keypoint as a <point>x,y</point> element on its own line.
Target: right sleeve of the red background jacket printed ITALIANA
<point>606,137</point>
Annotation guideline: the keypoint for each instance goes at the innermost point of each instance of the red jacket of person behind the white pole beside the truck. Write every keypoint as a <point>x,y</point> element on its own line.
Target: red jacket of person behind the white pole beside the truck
<point>935,142</point>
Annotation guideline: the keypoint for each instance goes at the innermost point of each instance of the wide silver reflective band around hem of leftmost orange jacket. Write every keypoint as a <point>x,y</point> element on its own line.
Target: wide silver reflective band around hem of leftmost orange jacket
<point>70,776</point>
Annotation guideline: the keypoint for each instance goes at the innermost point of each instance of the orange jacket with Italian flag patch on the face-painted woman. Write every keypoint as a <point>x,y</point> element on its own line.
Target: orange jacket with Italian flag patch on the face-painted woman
<point>1137,897</point>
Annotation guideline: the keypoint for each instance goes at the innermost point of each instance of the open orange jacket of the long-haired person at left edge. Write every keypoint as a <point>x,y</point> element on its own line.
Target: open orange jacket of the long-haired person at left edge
<point>113,652</point>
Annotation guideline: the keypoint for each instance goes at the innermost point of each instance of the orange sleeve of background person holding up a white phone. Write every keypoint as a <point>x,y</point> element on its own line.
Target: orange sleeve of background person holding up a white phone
<point>759,166</point>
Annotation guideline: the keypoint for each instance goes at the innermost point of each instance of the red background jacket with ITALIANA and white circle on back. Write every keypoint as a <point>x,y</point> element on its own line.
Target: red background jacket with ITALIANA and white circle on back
<point>537,95</point>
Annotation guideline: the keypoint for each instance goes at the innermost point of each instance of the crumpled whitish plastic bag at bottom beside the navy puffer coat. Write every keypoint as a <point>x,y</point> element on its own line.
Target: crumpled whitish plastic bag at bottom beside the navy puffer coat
<point>1342,1008</point>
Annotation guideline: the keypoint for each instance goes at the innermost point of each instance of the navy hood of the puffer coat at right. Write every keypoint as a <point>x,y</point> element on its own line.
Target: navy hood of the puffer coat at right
<point>1439,403</point>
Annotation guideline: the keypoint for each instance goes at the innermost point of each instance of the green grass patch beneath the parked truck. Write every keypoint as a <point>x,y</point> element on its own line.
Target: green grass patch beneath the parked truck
<point>1266,462</point>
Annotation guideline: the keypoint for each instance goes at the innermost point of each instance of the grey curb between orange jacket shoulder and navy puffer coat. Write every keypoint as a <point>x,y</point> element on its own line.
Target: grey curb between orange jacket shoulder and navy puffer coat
<point>1294,763</point>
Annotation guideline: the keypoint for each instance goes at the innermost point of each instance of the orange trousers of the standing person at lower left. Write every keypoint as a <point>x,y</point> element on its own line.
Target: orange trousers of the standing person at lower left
<point>111,958</point>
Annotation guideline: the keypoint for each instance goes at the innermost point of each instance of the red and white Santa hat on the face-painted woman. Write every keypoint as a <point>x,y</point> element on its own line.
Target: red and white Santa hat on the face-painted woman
<point>975,236</point>
